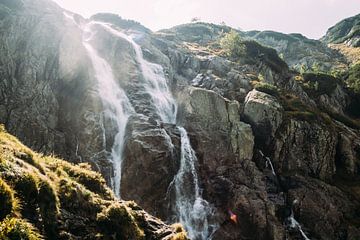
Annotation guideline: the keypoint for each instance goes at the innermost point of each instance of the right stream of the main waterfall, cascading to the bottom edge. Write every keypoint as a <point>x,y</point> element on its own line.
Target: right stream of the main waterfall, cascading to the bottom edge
<point>192,210</point>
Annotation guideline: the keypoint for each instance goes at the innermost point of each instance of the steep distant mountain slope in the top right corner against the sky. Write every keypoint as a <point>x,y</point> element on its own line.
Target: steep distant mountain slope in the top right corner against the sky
<point>346,31</point>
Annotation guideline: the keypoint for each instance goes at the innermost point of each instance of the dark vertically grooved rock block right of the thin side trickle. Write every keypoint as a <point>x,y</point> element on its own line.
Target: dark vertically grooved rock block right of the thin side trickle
<point>306,147</point>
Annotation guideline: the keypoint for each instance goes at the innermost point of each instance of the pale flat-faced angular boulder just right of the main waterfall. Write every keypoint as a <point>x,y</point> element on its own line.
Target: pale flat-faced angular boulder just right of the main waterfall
<point>207,110</point>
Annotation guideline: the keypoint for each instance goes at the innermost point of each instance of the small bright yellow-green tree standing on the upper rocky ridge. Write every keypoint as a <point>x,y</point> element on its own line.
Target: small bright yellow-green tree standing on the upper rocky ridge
<point>232,44</point>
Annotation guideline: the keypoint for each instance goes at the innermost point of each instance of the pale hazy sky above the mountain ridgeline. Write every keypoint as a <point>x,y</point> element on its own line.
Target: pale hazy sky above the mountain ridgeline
<point>309,17</point>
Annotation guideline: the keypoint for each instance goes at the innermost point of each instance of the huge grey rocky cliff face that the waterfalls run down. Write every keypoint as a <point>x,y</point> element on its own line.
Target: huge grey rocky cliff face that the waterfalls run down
<point>266,154</point>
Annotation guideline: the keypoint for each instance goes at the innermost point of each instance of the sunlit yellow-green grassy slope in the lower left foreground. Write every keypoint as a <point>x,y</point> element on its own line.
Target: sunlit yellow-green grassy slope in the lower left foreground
<point>43,197</point>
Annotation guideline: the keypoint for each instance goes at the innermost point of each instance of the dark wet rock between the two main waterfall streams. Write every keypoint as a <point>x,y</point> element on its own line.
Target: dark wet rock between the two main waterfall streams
<point>151,160</point>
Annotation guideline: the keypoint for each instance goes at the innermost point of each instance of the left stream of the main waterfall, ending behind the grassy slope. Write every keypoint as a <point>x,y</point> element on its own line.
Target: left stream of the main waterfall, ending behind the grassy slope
<point>117,107</point>
